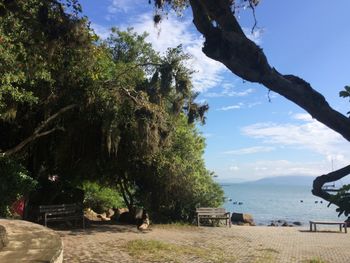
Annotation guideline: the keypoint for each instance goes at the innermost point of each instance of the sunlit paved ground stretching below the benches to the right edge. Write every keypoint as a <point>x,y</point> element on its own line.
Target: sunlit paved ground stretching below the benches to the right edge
<point>104,243</point>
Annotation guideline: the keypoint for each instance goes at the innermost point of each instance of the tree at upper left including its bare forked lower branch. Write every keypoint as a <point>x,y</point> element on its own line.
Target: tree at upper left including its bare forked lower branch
<point>44,58</point>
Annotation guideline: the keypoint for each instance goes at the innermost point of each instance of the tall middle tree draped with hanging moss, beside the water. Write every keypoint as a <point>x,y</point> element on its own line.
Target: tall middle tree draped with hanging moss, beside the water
<point>149,117</point>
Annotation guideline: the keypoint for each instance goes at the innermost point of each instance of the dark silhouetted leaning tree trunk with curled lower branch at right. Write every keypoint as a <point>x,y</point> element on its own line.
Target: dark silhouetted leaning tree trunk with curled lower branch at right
<point>226,42</point>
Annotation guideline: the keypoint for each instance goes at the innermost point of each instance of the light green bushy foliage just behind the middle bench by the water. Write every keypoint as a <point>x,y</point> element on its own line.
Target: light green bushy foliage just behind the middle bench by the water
<point>182,182</point>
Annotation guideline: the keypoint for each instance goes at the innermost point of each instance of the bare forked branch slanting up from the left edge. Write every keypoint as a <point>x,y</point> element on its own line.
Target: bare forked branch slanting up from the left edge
<point>38,132</point>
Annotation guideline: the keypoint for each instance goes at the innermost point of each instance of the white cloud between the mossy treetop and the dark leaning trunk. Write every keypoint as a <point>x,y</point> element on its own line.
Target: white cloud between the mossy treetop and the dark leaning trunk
<point>174,31</point>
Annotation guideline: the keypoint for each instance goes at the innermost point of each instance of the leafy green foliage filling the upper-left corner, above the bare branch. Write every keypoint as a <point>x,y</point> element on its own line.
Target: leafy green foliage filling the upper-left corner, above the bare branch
<point>37,37</point>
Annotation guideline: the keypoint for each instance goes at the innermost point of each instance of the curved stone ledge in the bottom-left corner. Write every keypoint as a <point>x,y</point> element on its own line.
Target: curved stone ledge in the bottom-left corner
<point>30,242</point>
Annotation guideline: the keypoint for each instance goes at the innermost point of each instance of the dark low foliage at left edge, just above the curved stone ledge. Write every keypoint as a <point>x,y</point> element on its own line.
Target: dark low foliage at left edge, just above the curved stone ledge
<point>15,182</point>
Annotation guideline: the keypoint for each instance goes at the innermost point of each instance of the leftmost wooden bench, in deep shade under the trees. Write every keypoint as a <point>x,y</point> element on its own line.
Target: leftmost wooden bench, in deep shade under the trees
<point>64,212</point>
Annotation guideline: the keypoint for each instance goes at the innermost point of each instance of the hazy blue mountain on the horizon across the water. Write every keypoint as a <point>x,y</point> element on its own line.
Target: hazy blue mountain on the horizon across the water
<point>285,180</point>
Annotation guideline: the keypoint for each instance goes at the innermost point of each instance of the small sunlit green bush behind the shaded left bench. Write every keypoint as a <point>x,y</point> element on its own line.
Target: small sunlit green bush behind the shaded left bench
<point>99,198</point>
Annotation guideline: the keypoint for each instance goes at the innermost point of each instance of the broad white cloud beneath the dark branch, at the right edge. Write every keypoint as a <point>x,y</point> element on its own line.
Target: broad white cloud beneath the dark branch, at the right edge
<point>309,134</point>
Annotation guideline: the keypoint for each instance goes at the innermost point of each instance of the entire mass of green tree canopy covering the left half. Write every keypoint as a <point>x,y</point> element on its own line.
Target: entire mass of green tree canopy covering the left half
<point>75,108</point>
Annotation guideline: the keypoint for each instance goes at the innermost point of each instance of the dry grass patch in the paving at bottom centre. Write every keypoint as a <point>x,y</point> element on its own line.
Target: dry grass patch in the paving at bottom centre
<point>158,251</point>
